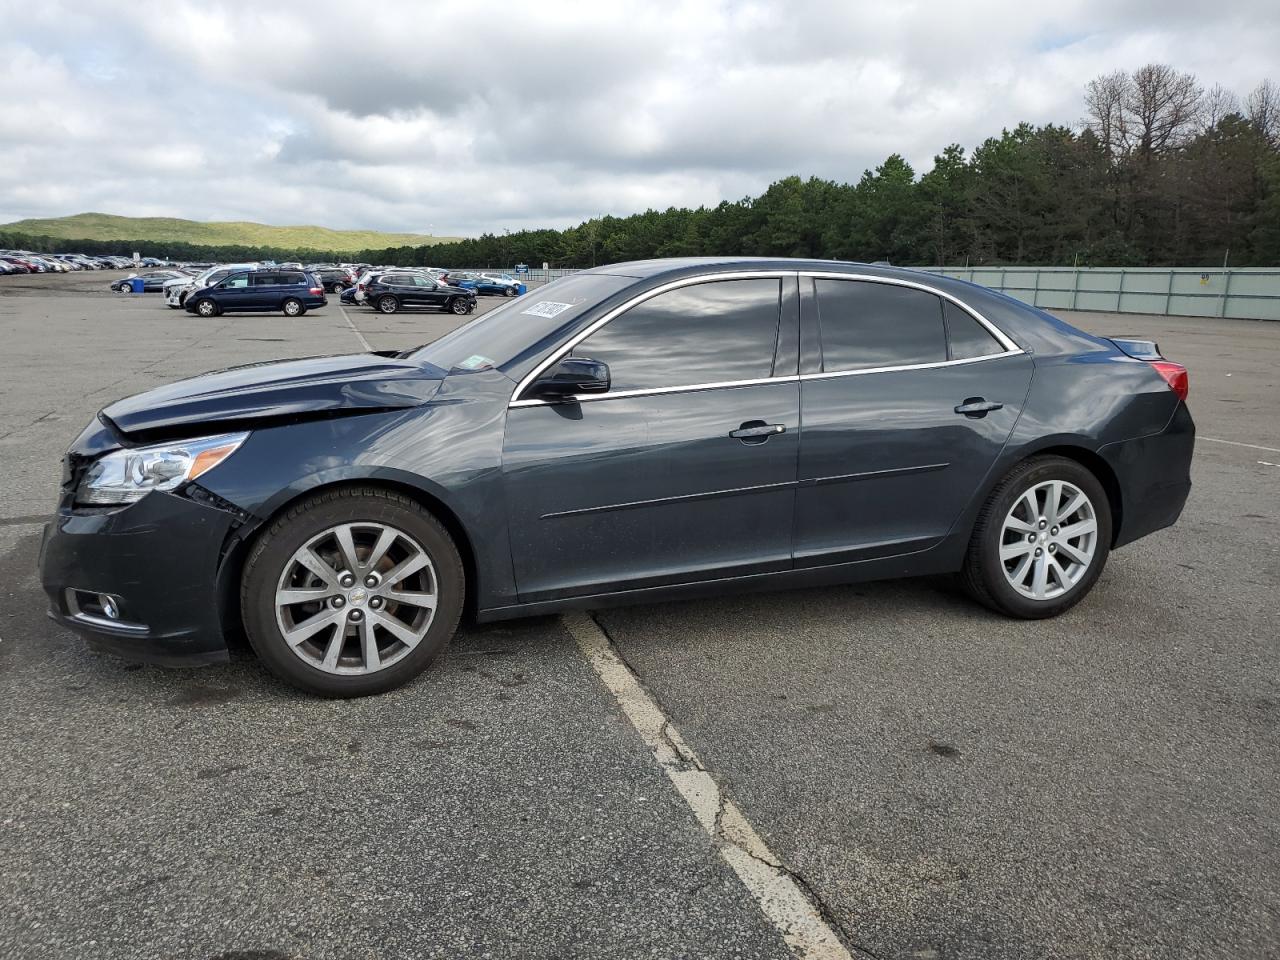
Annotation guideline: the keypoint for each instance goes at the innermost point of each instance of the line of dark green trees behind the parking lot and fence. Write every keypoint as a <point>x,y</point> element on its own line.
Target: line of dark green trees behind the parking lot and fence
<point>1159,172</point>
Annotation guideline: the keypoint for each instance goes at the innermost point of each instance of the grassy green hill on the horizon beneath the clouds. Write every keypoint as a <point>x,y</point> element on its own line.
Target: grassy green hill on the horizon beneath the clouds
<point>163,230</point>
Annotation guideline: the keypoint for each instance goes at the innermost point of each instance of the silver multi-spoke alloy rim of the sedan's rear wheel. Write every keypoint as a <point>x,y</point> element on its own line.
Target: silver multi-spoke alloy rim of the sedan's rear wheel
<point>1049,540</point>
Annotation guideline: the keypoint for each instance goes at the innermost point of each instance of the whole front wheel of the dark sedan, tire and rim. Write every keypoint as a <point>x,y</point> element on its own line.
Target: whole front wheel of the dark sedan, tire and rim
<point>353,592</point>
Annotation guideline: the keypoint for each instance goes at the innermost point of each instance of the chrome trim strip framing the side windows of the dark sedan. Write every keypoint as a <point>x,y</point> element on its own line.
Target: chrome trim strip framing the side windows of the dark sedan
<point>1012,349</point>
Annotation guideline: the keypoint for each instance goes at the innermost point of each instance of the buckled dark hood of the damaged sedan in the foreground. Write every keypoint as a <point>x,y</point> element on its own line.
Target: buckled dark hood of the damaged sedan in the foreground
<point>287,391</point>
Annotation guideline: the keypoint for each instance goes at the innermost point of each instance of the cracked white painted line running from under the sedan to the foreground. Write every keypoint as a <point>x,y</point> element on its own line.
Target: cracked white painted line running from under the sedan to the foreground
<point>775,890</point>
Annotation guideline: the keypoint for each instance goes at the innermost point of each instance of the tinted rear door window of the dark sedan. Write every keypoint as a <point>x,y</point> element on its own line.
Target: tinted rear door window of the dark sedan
<point>866,326</point>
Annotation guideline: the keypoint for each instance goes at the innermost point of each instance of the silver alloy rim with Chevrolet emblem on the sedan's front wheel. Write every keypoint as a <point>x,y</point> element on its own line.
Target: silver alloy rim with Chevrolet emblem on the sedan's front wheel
<point>356,598</point>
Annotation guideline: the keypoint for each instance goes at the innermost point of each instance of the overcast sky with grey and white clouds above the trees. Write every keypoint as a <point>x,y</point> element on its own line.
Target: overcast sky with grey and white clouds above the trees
<point>456,118</point>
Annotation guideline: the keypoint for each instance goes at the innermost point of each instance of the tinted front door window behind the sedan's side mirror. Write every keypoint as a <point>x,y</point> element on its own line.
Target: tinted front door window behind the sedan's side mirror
<point>716,332</point>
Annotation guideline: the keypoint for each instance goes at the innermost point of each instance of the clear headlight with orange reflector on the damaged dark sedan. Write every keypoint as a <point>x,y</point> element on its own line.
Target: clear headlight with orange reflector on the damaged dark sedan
<point>127,477</point>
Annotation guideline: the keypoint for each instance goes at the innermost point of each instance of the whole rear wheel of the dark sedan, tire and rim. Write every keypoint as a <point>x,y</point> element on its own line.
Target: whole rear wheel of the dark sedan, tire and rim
<point>1041,540</point>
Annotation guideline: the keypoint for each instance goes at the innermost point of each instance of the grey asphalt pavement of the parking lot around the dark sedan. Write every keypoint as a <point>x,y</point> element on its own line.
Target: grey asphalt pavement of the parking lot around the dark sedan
<point>941,781</point>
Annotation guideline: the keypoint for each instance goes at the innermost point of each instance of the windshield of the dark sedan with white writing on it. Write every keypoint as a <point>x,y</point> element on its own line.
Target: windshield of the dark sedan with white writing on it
<point>510,332</point>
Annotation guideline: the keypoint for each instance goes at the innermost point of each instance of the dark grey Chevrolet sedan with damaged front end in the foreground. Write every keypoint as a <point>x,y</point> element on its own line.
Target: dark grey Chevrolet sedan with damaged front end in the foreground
<point>637,432</point>
